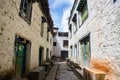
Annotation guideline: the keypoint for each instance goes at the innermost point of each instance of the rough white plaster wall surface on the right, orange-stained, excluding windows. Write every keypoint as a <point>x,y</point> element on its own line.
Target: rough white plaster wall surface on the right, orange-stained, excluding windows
<point>103,24</point>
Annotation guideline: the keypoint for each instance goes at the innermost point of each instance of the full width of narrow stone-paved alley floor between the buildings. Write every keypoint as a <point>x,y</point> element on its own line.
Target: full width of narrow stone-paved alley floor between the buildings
<point>61,71</point>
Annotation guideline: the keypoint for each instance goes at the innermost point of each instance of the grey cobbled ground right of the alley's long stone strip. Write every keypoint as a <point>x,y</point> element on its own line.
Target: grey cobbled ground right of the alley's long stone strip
<point>65,72</point>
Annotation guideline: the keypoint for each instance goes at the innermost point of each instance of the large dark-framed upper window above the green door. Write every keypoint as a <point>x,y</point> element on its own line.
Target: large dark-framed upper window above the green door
<point>26,10</point>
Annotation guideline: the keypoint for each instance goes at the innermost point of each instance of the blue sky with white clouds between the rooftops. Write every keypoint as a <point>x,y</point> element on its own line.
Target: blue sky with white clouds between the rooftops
<point>60,12</point>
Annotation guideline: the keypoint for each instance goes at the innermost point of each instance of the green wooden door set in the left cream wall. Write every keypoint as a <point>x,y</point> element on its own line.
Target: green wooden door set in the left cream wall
<point>20,59</point>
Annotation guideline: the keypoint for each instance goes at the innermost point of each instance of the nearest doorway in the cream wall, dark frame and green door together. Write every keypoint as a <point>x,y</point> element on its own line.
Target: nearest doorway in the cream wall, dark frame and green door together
<point>20,56</point>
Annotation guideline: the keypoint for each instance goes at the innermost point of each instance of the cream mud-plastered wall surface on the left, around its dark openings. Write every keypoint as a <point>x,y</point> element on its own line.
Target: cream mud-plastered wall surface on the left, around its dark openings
<point>10,24</point>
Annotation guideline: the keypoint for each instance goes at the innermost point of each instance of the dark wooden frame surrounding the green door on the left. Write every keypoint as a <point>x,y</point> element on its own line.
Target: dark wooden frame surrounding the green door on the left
<point>26,58</point>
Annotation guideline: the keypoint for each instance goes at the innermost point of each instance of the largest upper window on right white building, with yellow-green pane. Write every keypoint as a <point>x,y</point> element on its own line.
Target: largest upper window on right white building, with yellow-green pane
<point>82,7</point>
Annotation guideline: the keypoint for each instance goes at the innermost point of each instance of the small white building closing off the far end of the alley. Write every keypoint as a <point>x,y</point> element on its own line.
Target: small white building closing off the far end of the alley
<point>60,44</point>
